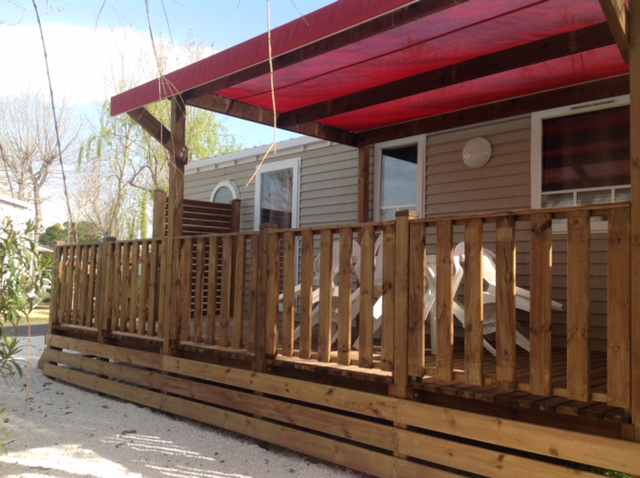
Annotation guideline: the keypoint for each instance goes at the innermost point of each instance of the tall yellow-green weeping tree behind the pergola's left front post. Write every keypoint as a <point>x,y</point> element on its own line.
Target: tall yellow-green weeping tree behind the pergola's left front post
<point>120,165</point>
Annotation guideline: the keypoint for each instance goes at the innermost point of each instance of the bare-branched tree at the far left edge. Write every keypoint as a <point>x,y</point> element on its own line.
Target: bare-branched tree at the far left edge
<point>28,147</point>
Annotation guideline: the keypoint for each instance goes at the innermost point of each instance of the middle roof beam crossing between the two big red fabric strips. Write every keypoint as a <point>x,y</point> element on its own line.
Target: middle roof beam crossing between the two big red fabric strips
<point>565,44</point>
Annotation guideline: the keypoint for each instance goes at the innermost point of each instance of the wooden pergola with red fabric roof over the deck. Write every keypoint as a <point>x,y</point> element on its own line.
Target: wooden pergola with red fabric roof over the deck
<point>359,72</point>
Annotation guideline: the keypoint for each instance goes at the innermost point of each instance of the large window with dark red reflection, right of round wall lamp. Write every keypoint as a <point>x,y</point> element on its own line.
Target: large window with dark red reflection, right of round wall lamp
<point>580,155</point>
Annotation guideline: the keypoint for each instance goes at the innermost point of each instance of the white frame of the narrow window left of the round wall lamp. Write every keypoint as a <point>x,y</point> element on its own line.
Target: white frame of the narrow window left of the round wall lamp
<point>421,141</point>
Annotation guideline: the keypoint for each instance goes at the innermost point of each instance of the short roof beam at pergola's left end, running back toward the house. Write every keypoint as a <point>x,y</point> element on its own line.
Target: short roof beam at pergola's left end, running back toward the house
<point>238,109</point>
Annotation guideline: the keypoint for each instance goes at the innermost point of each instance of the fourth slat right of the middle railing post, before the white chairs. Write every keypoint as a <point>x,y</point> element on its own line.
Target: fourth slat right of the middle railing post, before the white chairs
<point>345,296</point>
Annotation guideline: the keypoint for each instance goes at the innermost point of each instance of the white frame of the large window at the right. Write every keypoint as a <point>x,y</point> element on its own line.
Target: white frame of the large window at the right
<point>536,137</point>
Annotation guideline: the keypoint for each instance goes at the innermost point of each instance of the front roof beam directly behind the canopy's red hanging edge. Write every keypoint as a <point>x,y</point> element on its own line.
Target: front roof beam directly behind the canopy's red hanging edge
<point>340,39</point>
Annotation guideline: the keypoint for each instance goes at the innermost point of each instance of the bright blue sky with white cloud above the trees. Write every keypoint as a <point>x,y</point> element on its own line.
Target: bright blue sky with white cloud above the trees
<point>92,43</point>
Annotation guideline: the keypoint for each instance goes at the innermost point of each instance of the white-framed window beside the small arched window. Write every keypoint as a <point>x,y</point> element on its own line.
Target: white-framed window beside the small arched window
<point>277,186</point>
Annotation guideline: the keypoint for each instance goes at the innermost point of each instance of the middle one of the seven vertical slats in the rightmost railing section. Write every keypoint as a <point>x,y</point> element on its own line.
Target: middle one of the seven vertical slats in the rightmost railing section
<point>505,303</point>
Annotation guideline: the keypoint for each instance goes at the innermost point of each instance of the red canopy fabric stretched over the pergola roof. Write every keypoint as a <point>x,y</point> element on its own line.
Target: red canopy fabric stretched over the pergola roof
<point>469,30</point>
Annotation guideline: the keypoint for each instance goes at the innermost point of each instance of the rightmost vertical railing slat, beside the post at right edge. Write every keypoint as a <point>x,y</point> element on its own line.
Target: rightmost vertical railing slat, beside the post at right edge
<point>618,309</point>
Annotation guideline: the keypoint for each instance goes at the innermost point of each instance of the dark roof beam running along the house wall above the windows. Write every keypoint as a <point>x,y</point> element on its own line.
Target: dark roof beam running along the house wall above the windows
<point>591,91</point>
